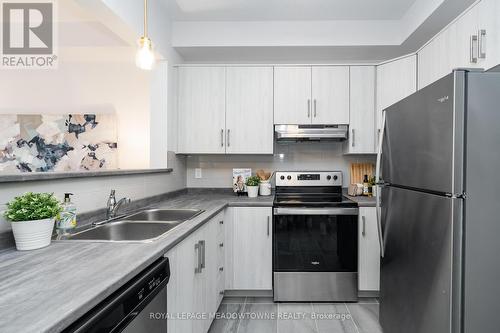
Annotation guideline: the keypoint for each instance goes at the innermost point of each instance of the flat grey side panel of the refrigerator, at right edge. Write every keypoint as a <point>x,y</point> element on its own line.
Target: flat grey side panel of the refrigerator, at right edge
<point>482,222</point>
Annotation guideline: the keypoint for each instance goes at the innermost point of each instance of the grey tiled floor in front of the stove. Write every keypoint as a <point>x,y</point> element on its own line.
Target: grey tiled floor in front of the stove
<point>262,315</point>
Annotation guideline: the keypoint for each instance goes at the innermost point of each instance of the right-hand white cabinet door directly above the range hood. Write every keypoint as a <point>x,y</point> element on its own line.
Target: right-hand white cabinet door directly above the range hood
<point>330,95</point>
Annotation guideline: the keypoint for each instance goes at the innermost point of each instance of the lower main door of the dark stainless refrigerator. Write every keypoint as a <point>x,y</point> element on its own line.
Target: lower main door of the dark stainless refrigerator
<point>417,269</point>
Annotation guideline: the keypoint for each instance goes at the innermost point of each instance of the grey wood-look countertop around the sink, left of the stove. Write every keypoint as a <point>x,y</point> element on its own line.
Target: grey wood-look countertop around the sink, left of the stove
<point>47,289</point>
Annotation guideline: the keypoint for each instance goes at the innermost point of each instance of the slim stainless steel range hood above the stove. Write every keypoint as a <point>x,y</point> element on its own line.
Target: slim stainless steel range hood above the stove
<point>311,132</point>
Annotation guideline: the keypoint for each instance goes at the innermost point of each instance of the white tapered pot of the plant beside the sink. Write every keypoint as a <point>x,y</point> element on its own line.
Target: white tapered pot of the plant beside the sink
<point>31,235</point>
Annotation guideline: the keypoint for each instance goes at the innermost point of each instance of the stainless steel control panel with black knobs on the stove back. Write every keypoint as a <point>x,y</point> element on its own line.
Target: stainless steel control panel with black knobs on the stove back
<point>309,178</point>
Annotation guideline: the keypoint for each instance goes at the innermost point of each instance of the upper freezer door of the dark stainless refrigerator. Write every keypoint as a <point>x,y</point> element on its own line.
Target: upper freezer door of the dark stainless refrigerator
<point>423,137</point>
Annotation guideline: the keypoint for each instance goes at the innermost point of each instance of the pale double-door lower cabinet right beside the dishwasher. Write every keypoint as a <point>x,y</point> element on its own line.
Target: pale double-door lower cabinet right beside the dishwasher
<point>194,287</point>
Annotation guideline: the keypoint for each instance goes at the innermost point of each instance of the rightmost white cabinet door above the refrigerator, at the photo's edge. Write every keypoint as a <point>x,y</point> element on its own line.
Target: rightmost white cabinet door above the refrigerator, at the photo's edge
<point>489,21</point>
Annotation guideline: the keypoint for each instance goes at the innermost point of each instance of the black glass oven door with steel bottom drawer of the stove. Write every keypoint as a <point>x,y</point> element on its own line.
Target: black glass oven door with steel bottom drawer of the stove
<point>315,254</point>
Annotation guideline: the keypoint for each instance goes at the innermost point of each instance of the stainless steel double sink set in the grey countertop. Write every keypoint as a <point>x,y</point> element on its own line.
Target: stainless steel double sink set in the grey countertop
<point>144,226</point>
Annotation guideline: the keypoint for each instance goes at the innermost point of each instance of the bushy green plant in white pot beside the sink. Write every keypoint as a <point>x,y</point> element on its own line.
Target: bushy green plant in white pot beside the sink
<point>32,218</point>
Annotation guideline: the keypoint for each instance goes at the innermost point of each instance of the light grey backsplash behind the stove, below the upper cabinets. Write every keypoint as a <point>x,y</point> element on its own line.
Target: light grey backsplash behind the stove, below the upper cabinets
<point>217,170</point>
